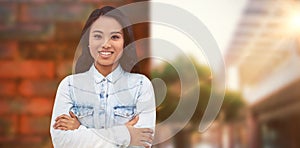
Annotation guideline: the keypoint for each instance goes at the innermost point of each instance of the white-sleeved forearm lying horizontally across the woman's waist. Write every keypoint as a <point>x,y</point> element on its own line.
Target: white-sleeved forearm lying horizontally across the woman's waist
<point>90,137</point>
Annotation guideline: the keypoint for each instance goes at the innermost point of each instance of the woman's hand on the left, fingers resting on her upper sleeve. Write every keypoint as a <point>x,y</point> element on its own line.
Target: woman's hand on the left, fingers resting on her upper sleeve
<point>65,122</point>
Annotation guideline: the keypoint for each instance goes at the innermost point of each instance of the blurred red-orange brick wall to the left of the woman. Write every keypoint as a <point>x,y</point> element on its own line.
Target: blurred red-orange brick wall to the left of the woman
<point>37,44</point>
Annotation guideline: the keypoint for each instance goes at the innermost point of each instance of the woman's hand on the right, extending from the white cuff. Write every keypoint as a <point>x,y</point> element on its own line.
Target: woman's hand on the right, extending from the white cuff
<point>140,136</point>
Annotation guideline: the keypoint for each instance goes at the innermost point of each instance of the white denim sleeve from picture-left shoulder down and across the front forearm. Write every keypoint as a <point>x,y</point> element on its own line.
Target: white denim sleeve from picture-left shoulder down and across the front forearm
<point>83,137</point>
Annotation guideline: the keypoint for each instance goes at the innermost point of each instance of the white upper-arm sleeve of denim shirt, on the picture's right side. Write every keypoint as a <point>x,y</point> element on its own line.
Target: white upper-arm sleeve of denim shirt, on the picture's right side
<point>146,105</point>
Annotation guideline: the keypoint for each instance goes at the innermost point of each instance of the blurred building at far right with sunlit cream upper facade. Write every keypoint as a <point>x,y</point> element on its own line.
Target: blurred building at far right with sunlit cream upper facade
<point>265,54</point>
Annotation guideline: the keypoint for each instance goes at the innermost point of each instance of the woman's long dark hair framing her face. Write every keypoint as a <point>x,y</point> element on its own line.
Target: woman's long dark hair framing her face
<point>128,61</point>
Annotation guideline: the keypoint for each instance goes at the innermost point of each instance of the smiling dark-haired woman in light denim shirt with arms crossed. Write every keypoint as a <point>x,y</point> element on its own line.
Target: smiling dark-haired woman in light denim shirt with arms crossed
<point>103,105</point>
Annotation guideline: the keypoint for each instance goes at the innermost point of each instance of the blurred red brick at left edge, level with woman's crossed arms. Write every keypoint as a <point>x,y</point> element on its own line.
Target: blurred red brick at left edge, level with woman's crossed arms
<point>8,126</point>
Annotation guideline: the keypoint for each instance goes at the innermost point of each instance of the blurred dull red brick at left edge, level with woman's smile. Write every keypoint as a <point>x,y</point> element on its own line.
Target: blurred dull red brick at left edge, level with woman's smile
<point>8,50</point>
